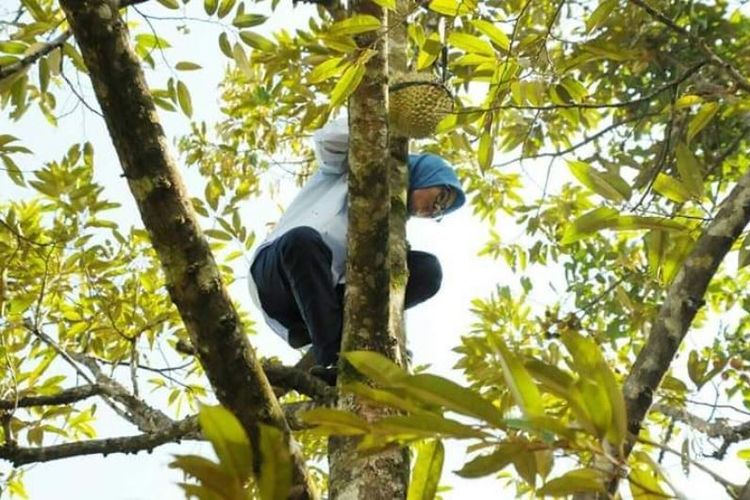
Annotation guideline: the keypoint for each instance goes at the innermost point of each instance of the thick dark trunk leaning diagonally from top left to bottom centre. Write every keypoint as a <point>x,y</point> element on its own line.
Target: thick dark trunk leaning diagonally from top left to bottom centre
<point>192,277</point>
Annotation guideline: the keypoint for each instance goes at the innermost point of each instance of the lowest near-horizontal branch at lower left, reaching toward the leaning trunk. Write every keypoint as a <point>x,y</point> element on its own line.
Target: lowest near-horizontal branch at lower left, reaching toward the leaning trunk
<point>184,429</point>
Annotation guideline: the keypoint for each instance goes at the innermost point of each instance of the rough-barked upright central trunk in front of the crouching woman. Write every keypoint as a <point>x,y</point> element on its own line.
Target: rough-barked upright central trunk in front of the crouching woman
<point>382,475</point>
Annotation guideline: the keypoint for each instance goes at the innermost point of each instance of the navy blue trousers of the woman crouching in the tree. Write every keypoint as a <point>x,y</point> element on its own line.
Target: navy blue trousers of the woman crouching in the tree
<point>293,277</point>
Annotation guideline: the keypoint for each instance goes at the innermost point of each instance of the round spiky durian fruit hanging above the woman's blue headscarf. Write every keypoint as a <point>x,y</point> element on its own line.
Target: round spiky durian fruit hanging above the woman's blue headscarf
<point>418,101</point>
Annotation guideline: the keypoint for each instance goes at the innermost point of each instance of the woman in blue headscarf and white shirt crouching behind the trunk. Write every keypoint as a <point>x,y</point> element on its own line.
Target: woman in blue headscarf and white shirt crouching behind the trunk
<point>298,271</point>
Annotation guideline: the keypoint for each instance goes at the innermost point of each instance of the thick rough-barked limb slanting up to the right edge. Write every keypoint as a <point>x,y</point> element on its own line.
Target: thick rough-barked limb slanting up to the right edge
<point>683,299</point>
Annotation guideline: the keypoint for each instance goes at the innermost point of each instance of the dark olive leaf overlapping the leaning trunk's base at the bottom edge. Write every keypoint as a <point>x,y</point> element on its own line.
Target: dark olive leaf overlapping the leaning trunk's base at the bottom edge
<point>276,470</point>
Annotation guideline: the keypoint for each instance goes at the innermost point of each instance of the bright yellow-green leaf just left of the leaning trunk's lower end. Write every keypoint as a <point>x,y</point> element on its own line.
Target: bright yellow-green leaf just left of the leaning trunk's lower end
<point>228,439</point>
